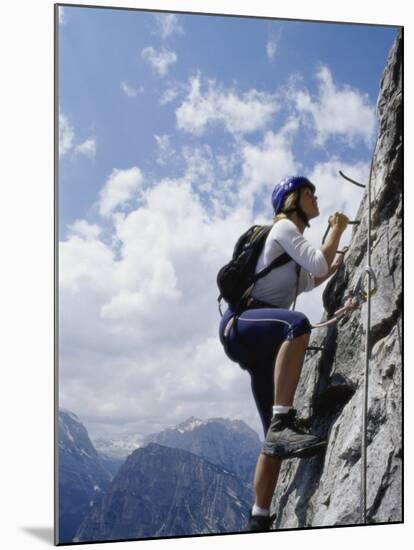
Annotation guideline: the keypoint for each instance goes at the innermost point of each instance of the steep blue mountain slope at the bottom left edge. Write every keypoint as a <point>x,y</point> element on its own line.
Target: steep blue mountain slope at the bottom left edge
<point>83,477</point>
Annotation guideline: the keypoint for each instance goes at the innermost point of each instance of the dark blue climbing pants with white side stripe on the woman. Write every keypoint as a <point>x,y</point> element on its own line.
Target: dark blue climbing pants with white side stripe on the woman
<point>253,340</point>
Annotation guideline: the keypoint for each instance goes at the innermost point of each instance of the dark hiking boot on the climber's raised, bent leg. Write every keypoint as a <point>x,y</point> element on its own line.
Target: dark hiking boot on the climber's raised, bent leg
<point>286,438</point>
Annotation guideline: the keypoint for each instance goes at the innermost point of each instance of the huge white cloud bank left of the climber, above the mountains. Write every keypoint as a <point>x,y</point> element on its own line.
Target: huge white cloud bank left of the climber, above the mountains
<point>134,323</point>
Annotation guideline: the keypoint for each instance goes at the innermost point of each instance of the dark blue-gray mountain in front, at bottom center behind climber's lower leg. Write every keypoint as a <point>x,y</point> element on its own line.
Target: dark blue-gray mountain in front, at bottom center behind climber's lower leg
<point>162,491</point>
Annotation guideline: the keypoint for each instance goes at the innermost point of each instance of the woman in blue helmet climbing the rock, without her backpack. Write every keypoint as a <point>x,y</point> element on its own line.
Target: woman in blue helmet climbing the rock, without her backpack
<point>269,340</point>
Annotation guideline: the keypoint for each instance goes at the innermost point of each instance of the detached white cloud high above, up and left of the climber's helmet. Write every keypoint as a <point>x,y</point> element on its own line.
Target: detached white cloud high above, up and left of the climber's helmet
<point>239,114</point>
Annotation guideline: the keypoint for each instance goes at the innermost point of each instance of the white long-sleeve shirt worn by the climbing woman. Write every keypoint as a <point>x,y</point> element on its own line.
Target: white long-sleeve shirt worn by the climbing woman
<point>279,286</point>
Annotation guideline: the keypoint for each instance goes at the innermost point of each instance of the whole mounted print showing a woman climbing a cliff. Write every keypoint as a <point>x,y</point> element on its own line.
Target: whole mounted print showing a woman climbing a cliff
<point>174,130</point>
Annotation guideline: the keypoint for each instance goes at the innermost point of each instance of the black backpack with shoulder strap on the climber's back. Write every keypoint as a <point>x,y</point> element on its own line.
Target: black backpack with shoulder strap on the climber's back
<point>236,279</point>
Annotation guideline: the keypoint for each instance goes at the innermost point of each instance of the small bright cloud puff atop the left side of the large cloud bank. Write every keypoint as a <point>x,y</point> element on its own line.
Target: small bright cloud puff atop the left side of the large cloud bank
<point>119,189</point>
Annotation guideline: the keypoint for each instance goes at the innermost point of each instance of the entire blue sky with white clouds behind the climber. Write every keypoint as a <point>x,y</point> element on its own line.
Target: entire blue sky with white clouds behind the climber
<point>173,131</point>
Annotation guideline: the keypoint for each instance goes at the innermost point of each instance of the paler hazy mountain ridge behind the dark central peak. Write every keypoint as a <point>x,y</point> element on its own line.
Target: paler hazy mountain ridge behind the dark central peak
<point>231,444</point>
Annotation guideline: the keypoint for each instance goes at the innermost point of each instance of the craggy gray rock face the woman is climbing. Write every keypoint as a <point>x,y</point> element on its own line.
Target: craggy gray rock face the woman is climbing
<point>325,490</point>
